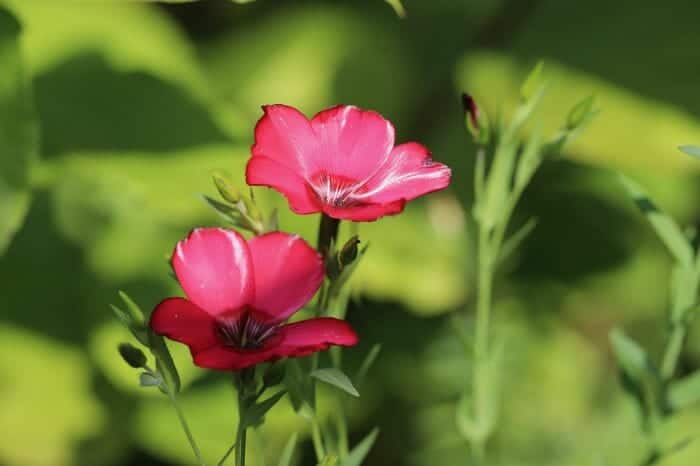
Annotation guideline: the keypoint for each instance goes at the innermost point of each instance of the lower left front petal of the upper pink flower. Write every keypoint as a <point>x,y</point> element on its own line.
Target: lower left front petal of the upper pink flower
<point>263,171</point>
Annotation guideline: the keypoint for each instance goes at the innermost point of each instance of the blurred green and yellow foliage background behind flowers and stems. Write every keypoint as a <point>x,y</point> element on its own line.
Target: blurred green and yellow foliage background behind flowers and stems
<point>135,103</point>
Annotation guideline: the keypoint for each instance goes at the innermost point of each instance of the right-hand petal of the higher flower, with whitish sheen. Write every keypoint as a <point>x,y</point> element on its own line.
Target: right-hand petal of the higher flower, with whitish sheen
<point>408,173</point>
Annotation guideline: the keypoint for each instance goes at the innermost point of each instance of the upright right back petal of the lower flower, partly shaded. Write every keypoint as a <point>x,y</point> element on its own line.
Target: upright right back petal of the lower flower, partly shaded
<point>287,271</point>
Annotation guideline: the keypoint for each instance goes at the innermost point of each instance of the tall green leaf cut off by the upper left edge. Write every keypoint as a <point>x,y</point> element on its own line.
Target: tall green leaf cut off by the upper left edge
<point>18,131</point>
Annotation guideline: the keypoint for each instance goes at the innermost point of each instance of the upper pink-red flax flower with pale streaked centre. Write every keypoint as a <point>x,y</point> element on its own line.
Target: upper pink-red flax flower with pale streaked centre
<point>342,162</point>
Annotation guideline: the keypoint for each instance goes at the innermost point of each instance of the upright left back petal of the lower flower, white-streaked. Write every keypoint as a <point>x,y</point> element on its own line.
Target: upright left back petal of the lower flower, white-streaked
<point>214,268</point>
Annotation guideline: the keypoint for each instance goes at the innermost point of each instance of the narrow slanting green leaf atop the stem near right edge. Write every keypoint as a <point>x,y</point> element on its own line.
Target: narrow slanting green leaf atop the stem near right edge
<point>668,231</point>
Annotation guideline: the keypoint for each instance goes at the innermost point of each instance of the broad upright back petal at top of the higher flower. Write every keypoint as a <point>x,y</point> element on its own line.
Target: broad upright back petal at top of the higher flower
<point>352,143</point>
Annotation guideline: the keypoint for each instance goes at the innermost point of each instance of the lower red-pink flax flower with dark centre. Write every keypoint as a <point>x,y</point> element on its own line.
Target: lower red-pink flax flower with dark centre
<point>240,293</point>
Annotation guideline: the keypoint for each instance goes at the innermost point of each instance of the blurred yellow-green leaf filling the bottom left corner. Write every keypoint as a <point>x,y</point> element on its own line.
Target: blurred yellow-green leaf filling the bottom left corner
<point>47,403</point>
